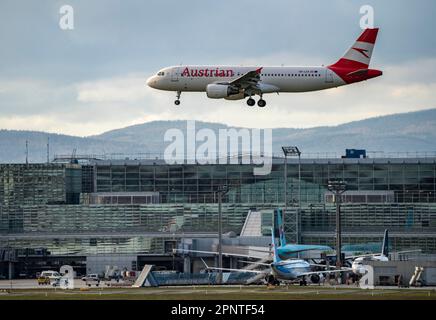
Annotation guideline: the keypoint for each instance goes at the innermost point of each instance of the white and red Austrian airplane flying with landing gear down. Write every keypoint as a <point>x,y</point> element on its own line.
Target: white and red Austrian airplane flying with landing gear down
<point>239,82</point>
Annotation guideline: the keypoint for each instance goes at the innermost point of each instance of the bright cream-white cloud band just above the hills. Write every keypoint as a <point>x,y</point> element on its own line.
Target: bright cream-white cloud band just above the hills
<point>93,106</point>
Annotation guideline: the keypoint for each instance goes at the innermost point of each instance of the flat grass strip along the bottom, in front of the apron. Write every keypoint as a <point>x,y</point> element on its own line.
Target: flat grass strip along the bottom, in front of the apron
<point>220,293</point>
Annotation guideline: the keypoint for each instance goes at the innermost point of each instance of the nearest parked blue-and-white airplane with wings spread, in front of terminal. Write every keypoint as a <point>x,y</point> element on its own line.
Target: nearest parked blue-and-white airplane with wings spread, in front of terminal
<point>288,270</point>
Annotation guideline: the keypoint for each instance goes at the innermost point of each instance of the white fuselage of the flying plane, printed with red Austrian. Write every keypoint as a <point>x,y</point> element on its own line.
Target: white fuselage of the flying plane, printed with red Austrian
<point>277,79</point>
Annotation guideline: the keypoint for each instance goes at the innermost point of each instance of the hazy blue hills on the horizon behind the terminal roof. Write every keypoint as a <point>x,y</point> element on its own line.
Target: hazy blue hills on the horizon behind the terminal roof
<point>406,132</point>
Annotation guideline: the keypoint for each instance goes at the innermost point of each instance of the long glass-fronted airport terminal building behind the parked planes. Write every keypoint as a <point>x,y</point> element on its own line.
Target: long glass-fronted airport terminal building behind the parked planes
<point>134,212</point>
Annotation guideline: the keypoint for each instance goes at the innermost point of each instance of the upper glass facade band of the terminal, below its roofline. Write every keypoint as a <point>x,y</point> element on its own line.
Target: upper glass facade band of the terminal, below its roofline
<point>410,181</point>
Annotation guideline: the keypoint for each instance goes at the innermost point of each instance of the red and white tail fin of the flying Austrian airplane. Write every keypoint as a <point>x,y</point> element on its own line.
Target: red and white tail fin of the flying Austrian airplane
<point>359,55</point>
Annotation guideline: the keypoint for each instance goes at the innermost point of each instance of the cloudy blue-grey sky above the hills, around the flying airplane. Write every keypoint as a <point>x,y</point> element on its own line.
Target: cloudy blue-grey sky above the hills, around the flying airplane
<point>92,79</point>
